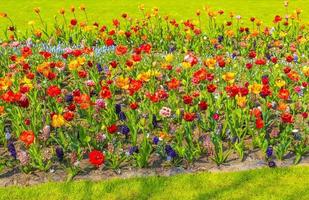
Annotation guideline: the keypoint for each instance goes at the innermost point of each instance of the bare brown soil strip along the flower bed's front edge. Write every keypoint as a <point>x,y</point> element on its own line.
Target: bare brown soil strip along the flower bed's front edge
<point>56,174</point>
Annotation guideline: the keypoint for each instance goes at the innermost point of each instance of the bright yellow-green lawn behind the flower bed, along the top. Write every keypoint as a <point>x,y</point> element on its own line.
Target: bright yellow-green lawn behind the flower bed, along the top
<point>103,11</point>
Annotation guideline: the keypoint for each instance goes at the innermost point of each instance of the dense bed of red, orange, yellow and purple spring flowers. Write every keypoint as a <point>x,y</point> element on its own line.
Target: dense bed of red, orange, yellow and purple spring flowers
<point>153,92</point>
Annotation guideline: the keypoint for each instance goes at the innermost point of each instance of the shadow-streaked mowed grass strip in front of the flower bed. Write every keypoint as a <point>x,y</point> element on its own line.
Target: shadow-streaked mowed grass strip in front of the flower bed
<point>280,183</point>
